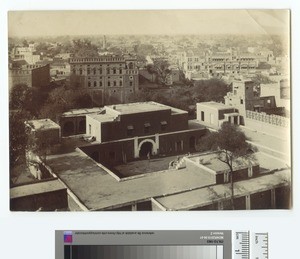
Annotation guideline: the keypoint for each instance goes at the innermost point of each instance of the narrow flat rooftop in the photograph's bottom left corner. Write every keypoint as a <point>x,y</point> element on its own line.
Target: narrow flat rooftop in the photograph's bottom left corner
<point>36,188</point>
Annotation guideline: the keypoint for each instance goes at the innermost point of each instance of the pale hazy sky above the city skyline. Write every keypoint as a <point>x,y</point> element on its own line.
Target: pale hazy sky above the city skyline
<point>53,23</point>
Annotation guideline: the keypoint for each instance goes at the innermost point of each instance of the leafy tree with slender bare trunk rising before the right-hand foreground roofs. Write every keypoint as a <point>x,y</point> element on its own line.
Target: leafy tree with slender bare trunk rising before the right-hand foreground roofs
<point>231,143</point>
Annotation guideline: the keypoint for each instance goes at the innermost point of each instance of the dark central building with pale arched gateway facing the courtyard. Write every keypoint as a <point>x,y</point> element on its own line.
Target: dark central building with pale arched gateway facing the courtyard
<point>129,131</point>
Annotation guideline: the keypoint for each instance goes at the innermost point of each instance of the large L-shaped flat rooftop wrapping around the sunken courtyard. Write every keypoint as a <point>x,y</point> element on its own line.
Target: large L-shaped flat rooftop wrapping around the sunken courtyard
<point>98,190</point>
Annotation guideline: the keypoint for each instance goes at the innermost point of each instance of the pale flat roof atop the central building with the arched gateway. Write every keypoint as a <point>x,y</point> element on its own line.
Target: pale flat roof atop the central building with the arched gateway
<point>141,107</point>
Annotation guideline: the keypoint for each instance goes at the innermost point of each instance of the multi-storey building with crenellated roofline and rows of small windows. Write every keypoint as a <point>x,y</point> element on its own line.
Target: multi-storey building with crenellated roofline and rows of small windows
<point>108,78</point>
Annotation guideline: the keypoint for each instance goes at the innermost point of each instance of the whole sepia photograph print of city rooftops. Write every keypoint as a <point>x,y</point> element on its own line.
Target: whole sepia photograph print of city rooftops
<point>149,110</point>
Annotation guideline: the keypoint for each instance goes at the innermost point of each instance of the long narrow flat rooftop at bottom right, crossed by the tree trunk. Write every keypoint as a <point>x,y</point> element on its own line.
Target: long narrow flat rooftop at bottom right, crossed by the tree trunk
<point>204,196</point>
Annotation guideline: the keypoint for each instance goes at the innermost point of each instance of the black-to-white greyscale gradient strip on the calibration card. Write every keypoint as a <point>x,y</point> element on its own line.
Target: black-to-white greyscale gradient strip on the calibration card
<point>143,252</point>
